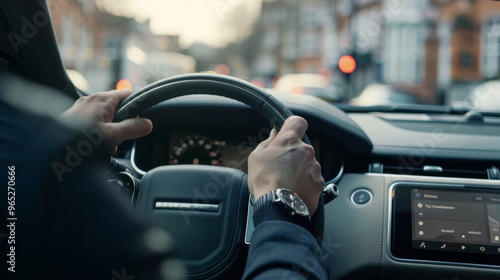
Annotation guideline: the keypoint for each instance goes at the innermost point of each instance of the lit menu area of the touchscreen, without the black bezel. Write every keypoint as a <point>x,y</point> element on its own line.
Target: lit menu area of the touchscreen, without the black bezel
<point>455,221</point>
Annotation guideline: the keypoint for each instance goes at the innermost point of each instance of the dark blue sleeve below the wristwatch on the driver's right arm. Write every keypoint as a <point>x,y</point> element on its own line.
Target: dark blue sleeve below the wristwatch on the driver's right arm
<point>283,248</point>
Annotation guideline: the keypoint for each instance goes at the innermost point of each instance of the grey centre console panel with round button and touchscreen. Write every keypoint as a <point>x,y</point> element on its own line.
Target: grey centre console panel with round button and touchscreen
<point>413,227</point>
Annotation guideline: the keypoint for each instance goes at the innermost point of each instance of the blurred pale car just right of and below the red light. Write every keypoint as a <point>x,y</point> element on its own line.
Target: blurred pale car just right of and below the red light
<point>379,94</point>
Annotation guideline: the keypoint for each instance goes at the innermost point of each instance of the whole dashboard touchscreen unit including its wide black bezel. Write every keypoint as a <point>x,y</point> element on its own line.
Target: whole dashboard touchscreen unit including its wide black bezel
<point>445,223</point>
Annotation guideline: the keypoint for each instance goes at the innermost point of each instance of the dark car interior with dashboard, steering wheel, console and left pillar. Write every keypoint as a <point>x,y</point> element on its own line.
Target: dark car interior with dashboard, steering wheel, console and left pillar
<point>412,191</point>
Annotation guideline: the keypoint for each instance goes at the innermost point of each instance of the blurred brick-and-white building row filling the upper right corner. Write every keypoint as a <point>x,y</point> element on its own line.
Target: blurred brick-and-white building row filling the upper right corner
<point>436,50</point>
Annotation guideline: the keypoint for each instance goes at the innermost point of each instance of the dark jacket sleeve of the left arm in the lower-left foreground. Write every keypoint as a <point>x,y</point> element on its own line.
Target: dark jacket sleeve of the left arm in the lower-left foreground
<point>68,223</point>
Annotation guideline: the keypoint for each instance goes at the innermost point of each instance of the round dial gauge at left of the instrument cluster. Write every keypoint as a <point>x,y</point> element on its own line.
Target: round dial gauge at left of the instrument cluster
<point>196,149</point>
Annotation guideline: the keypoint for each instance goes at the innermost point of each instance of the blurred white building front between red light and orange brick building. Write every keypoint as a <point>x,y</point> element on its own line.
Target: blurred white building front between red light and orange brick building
<point>405,53</point>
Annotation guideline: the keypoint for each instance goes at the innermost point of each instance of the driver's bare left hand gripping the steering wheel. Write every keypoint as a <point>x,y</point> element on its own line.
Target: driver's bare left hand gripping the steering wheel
<point>101,107</point>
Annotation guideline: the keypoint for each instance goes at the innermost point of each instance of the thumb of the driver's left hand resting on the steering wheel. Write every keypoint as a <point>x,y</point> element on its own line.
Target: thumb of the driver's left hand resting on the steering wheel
<point>127,129</point>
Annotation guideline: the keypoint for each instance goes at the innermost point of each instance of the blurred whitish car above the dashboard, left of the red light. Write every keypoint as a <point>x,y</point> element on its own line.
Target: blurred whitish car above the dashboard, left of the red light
<point>309,84</point>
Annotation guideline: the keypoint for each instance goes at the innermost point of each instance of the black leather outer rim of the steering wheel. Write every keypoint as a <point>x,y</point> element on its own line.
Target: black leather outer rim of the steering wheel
<point>210,84</point>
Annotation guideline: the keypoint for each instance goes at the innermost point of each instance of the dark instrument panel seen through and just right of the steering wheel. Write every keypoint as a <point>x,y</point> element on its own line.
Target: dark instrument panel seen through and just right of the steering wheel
<point>203,134</point>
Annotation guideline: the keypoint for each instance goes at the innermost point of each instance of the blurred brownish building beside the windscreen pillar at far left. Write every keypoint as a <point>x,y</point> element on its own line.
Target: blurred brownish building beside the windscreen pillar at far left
<point>89,40</point>
